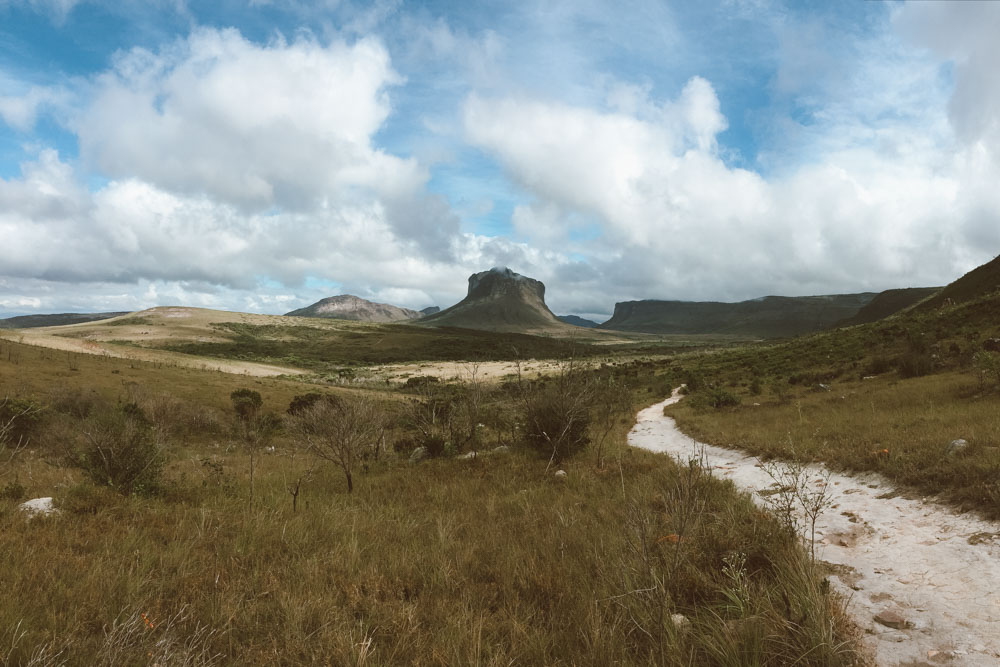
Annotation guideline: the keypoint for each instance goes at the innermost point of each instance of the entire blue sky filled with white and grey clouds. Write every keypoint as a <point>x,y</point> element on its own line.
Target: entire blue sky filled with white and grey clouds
<point>258,155</point>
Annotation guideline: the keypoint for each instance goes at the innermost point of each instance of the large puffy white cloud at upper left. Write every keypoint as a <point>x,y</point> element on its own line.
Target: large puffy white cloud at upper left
<point>285,126</point>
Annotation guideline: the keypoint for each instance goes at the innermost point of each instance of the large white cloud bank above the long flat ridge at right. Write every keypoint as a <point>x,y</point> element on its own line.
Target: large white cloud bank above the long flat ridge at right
<point>676,222</point>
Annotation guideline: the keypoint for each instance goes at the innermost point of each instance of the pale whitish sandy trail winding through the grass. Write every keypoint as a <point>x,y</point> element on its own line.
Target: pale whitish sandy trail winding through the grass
<point>938,570</point>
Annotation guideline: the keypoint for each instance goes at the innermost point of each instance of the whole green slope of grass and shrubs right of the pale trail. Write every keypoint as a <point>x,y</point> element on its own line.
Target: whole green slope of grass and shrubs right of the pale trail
<point>887,397</point>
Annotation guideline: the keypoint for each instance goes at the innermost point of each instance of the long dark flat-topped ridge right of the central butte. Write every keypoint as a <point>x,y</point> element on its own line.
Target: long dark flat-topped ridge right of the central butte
<point>767,317</point>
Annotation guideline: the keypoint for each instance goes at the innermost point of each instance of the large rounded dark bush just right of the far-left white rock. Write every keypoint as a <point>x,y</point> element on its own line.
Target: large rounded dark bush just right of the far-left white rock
<point>120,452</point>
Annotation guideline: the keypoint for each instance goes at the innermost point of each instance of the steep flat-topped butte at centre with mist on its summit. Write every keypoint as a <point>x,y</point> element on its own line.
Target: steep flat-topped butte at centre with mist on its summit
<point>500,300</point>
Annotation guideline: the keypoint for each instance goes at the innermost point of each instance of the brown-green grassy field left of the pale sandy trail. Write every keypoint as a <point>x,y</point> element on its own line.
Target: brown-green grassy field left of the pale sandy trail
<point>486,561</point>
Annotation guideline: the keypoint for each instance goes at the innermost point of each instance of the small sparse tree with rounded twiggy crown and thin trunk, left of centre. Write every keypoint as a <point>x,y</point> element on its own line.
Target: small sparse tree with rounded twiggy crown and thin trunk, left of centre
<point>340,431</point>
